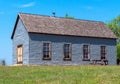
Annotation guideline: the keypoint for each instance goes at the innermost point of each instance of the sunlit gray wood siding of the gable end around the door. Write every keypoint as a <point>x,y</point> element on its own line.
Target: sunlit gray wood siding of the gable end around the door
<point>21,38</point>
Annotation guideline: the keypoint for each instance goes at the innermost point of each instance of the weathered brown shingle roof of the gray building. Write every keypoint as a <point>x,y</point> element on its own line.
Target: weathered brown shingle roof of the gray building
<point>62,26</point>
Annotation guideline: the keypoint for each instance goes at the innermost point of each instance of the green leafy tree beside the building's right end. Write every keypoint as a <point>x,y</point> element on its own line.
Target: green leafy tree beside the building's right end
<point>114,25</point>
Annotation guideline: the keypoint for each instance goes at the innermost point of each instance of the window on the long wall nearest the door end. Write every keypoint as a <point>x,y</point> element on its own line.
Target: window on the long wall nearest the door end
<point>46,51</point>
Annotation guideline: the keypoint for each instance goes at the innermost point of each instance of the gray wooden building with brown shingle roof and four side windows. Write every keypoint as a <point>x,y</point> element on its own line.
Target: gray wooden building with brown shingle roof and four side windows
<point>59,41</point>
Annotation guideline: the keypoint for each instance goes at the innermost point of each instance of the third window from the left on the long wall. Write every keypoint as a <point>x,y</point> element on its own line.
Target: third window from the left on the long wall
<point>86,52</point>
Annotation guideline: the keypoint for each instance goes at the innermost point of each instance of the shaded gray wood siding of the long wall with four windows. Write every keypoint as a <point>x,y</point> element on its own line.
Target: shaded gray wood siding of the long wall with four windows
<point>57,42</point>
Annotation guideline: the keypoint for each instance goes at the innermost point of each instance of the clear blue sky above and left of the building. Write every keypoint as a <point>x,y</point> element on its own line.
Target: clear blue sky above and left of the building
<point>98,10</point>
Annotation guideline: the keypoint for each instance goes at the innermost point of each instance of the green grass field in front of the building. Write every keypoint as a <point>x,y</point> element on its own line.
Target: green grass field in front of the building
<point>60,75</point>
